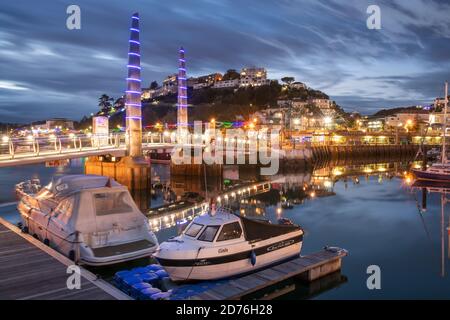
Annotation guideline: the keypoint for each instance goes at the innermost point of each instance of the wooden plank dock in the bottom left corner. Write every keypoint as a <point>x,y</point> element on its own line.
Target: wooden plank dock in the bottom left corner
<point>31,270</point>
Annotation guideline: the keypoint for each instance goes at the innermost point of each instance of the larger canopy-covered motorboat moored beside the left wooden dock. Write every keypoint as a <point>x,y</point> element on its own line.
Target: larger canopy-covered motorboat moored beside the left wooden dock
<point>91,219</point>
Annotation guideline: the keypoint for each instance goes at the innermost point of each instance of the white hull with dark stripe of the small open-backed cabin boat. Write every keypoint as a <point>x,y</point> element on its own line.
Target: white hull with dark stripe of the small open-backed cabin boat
<point>215,268</point>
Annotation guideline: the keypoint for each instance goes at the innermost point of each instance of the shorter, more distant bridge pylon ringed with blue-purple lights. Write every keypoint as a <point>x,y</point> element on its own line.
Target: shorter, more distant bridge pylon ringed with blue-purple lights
<point>182,116</point>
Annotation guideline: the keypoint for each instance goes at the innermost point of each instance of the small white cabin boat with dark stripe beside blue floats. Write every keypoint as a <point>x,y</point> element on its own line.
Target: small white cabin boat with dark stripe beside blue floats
<point>223,244</point>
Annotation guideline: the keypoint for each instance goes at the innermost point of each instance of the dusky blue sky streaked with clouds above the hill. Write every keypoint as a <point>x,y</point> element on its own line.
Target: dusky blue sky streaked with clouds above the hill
<point>47,70</point>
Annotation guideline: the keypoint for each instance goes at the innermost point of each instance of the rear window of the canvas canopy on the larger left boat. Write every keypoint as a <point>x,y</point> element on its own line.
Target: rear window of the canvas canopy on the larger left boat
<point>112,203</point>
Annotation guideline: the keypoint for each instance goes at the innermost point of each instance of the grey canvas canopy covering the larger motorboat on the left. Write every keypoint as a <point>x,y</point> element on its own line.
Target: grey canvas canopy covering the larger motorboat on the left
<point>90,203</point>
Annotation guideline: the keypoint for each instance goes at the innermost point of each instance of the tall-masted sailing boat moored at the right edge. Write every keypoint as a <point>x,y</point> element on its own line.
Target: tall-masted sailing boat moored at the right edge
<point>438,171</point>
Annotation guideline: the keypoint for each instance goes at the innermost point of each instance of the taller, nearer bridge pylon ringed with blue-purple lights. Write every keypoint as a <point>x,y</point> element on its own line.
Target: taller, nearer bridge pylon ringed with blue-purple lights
<point>133,93</point>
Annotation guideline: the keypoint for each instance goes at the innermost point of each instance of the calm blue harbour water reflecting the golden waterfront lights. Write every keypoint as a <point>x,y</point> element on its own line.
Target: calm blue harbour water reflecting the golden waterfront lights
<point>368,209</point>
